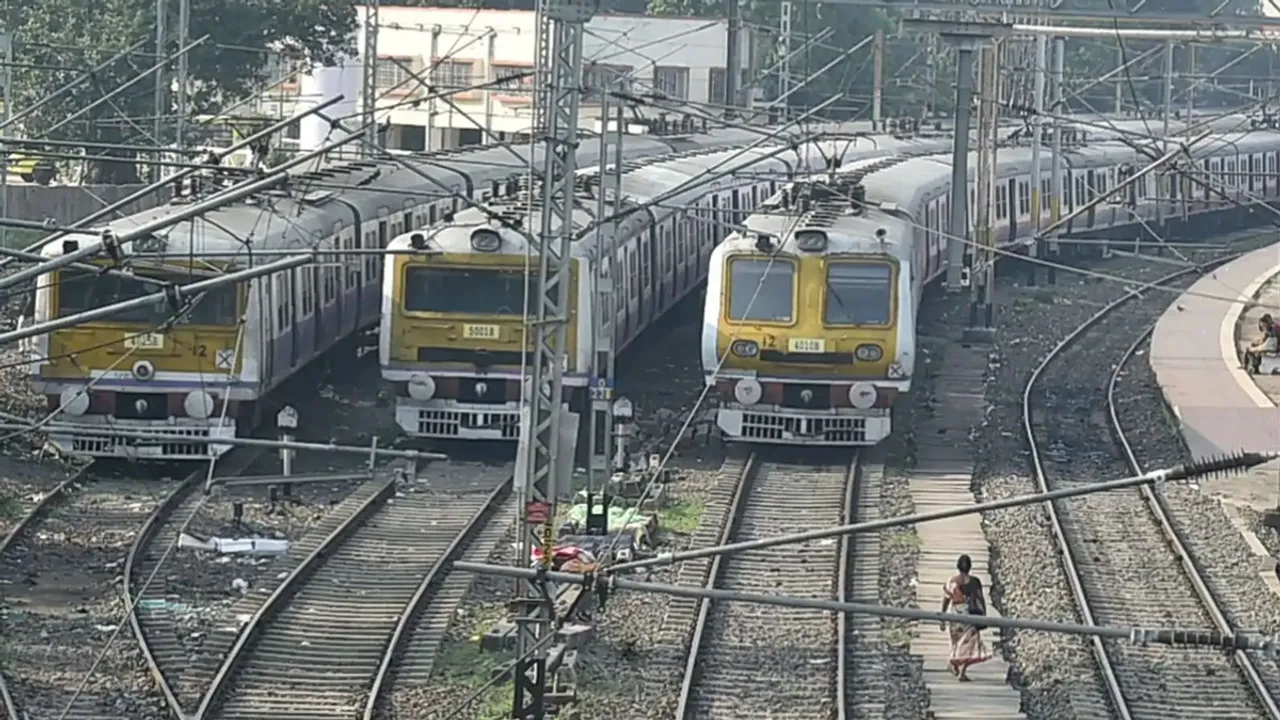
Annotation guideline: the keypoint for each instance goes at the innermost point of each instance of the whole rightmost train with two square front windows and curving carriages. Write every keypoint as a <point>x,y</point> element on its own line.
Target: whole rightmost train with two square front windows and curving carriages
<point>810,323</point>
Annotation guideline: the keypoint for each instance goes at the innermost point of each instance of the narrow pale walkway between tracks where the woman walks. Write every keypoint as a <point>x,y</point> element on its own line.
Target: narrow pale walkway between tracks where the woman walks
<point>943,479</point>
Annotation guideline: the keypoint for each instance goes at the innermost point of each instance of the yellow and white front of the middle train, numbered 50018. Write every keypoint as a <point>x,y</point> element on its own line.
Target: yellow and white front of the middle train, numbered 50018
<point>452,338</point>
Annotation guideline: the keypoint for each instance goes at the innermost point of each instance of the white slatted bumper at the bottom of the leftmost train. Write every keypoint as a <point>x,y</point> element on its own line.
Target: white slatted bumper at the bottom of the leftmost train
<point>92,436</point>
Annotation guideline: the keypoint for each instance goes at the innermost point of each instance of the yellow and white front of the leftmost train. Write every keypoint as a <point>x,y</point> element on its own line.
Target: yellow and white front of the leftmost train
<point>140,372</point>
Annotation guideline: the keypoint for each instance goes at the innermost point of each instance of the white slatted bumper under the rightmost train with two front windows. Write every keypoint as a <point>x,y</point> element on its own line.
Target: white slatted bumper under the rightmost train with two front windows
<point>784,426</point>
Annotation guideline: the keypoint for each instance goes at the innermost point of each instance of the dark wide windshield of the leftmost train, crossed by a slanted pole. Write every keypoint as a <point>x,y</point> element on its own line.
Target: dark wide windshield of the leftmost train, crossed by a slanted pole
<point>81,291</point>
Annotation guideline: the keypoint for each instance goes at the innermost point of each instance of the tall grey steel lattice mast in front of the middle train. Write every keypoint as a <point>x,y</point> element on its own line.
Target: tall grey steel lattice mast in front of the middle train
<point>561,25</point>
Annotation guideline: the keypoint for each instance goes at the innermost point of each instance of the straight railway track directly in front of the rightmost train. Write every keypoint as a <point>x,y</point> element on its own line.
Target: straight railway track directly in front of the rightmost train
<point>730,671</point>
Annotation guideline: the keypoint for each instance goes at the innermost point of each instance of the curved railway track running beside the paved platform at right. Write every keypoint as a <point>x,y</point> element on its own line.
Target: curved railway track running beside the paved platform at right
<point>1124,558</point>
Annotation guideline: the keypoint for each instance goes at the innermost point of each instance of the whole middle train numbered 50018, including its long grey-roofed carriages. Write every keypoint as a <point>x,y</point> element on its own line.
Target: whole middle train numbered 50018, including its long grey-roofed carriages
<point>452,338</point>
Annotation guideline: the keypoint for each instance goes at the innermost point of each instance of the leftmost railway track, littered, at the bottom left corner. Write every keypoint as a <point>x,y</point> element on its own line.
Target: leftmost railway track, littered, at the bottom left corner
<point>66,550</point>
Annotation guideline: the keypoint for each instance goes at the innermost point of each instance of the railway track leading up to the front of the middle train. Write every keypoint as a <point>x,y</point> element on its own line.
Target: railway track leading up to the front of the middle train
<point>350,619</point>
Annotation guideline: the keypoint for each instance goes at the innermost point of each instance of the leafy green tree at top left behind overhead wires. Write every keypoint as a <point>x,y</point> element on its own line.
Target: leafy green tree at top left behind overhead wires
<point>56,40</point>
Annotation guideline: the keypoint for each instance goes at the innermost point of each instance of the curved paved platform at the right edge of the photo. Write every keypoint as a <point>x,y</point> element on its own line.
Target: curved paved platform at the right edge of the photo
<point>1195,353</point>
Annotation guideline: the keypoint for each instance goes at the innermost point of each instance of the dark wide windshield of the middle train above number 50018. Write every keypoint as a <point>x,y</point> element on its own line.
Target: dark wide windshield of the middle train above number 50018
<point>474,291</point>
